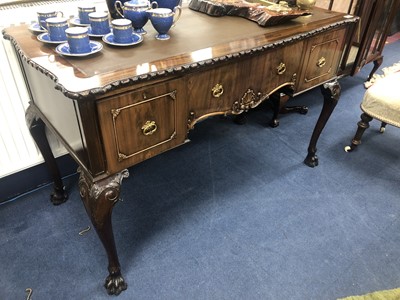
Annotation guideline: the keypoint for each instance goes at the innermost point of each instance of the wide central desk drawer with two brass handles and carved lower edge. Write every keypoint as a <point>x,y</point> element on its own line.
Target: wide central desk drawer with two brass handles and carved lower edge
<point>242,85</point>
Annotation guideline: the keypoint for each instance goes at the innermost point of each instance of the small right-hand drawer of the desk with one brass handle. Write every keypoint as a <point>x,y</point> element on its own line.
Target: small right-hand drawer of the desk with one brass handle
<point>321,59</point>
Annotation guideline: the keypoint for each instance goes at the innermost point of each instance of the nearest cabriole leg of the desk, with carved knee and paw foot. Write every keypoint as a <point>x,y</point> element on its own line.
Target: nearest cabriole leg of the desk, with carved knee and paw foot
<point>99,199</point>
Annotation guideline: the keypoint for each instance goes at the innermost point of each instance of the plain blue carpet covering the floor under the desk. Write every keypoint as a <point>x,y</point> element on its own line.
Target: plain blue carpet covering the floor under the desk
<point>235,214</point>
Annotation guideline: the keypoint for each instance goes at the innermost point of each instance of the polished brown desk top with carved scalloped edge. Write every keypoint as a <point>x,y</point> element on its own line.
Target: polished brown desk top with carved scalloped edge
<point>197,38</point>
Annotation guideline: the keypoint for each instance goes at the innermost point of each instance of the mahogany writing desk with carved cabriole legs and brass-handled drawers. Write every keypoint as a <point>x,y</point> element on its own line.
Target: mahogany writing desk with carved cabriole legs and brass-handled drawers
<point>123,105</point>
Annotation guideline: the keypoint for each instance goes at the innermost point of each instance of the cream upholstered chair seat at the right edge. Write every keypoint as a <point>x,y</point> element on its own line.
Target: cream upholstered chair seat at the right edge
<point>382,100</point>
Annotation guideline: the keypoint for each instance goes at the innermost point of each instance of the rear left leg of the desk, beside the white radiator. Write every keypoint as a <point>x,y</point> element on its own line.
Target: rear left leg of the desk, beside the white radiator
<point>37,129</point>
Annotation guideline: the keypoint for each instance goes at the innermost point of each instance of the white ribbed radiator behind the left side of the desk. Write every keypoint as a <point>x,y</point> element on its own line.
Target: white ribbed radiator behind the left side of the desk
<point>17,149</point>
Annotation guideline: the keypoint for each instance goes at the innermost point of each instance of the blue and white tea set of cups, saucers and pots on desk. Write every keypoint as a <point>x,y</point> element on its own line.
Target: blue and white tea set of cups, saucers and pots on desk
<point>53,28</point>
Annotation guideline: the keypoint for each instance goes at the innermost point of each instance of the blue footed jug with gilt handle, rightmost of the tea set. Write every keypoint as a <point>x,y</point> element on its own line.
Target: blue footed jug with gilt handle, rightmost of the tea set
<point>163,19</point>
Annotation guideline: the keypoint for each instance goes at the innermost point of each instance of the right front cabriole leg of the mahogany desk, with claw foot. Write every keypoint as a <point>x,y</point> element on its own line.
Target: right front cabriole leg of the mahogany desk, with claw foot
<point>331,94</point>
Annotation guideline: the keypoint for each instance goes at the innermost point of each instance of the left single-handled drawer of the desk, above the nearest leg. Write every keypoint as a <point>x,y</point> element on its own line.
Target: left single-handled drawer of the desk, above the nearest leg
<point>141,124</point>
